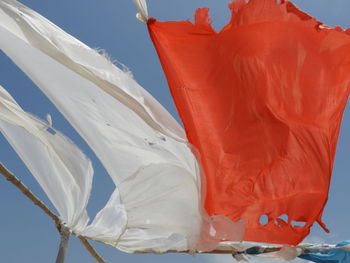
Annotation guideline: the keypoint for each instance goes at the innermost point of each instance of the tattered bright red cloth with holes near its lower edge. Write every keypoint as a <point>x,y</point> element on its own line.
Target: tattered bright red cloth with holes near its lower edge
<point>262,101</point>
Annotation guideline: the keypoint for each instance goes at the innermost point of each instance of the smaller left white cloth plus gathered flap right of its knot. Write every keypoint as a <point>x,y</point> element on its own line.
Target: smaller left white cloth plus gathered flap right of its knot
<point>62,170</point>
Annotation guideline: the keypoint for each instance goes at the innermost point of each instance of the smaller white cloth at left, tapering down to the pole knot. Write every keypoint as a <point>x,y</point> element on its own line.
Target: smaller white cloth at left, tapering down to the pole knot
<point>61,169</point>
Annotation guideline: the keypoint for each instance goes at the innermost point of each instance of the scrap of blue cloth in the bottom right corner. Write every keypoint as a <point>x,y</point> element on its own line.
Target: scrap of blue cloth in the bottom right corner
<point>339,254</point>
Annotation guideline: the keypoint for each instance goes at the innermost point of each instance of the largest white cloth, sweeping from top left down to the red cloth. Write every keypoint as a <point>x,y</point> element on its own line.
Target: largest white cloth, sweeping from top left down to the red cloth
<point>142,147</point>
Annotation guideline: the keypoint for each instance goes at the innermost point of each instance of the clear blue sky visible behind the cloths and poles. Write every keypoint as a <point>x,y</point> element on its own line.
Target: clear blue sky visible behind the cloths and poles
<point>28,235</point>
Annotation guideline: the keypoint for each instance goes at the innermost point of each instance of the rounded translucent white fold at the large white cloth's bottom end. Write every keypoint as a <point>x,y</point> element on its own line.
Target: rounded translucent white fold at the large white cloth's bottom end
<point>162,202</point>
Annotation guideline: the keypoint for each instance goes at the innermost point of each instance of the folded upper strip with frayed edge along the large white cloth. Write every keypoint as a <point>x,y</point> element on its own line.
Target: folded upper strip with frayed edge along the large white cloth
<point>75,55</point>
